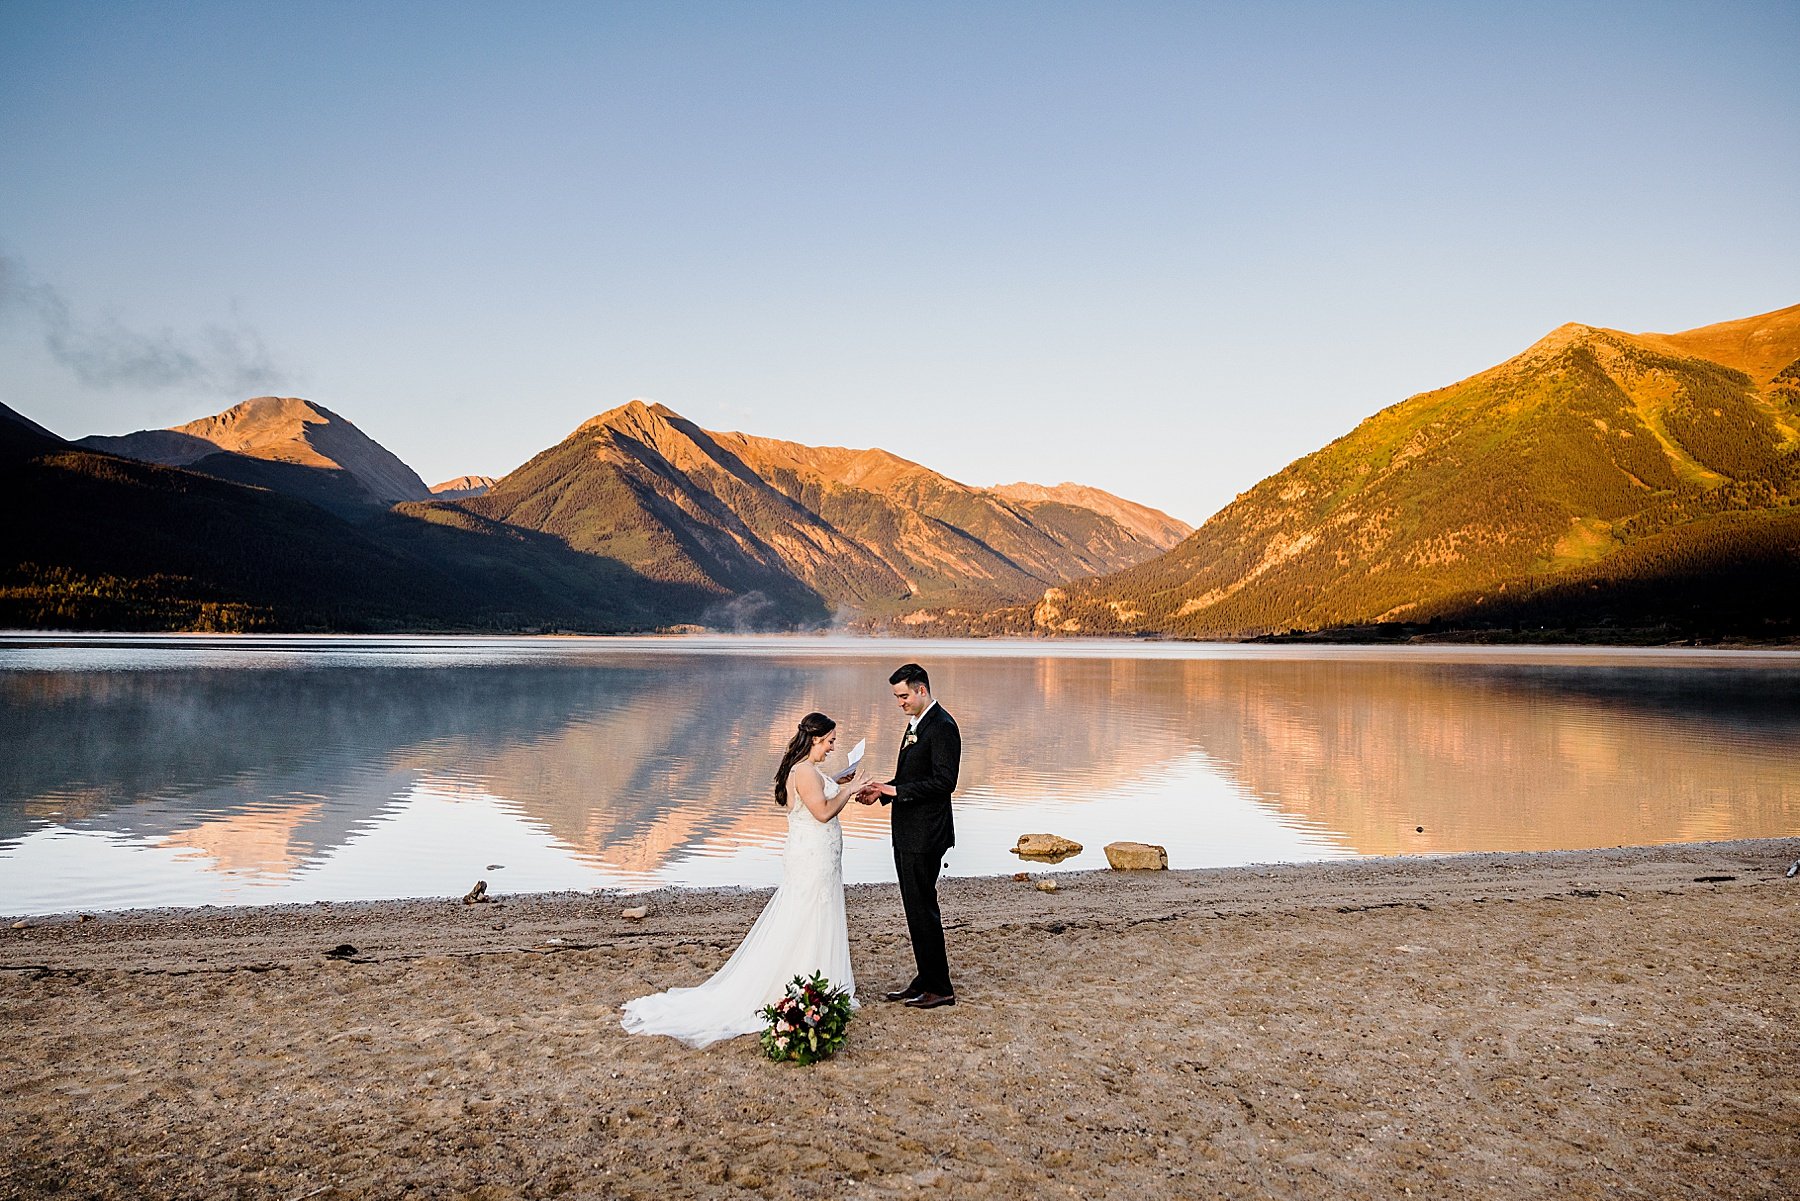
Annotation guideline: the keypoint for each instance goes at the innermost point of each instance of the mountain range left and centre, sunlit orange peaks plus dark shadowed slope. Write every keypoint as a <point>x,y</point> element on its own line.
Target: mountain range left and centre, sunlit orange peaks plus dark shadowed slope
<point>276,516</point>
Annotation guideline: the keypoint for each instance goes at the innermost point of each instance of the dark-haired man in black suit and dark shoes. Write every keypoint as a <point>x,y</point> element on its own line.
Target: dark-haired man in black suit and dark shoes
<point>921,795</point>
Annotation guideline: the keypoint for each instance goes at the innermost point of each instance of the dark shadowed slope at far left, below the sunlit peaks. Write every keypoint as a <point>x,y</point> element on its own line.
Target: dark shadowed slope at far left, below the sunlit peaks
<point>111,543</point>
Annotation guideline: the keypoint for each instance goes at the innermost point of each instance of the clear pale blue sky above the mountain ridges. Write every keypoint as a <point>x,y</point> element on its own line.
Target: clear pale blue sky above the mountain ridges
<point>1155,248</point>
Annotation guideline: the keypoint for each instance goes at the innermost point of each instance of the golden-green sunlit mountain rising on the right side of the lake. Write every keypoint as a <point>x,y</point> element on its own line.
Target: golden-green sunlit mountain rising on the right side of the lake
<point>1594,456</point>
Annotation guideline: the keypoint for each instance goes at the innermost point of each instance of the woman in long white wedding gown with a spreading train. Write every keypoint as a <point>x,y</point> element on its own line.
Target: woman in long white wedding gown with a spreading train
<point>802,930</point>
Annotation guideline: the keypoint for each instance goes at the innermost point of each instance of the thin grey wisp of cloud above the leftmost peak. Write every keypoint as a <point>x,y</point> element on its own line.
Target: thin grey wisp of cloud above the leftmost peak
<point>231,361</point>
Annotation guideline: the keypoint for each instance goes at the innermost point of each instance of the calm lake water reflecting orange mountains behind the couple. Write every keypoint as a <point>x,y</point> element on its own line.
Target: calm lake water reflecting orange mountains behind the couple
<point>242,772</point>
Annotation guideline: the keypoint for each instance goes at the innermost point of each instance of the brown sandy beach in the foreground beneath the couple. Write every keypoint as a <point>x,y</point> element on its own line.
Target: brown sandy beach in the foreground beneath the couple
<point>1588,1024</point>
